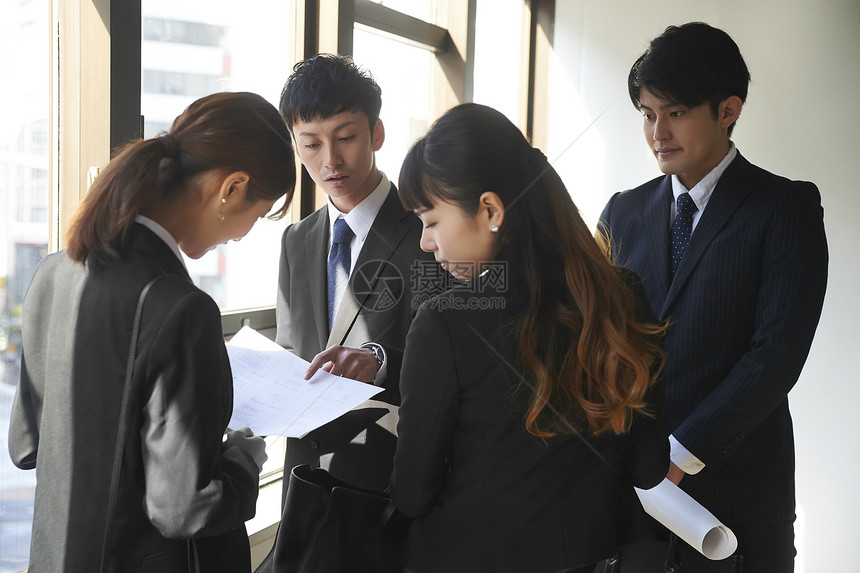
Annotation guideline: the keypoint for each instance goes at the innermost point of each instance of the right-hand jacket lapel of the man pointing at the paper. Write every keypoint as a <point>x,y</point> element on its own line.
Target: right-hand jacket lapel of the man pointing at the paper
<point>385,235</point>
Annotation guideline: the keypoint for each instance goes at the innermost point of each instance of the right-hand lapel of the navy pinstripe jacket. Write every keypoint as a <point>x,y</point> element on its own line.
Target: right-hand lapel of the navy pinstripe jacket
<point>729,193</point>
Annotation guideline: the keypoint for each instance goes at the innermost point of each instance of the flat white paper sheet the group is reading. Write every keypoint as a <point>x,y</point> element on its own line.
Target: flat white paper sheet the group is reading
<point>271,396</point>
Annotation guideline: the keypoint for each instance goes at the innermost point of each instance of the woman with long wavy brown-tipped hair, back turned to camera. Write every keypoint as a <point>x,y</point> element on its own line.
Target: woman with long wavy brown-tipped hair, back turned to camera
<point>530,396</point>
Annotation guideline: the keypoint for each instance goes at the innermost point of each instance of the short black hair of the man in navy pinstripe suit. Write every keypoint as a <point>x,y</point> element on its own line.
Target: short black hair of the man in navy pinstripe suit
<point>690,65</point>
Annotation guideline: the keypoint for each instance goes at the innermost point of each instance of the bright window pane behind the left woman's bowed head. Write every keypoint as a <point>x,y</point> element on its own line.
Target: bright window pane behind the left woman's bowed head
<point>194,48</point>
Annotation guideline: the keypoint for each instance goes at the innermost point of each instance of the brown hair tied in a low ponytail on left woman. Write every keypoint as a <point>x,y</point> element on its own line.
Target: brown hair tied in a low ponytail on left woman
<point>229,131</point>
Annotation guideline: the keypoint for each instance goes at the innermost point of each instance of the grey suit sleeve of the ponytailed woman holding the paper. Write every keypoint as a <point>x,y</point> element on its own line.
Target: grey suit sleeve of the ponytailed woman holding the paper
<point>195,485</point>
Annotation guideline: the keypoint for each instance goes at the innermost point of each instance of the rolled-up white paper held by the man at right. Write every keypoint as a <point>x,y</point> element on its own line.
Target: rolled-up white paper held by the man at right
<point>686,518</point>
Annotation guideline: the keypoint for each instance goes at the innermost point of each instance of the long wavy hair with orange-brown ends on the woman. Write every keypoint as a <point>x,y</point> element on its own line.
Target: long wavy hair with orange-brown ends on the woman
<point>588,361</point>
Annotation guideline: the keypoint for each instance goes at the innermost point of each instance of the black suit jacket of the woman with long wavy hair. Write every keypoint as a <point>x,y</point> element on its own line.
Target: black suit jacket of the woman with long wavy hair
<point>487,495</point>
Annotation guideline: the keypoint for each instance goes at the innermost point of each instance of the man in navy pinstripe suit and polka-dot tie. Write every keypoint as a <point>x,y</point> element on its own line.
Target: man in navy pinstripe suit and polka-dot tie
<point>735,258</point>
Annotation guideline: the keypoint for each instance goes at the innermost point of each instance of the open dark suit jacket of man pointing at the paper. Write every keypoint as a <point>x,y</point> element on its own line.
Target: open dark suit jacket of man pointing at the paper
<point>378,306</point>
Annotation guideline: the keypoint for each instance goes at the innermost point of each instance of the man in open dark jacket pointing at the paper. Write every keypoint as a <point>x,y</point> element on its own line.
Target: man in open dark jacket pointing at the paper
<point>345,296</point>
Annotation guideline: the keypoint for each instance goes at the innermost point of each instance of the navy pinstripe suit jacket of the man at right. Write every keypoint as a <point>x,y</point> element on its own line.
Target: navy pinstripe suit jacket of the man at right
<point>743,308</point>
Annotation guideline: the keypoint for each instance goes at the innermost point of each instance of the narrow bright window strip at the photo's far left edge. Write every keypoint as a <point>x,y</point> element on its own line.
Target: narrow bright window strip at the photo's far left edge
<point>24,195</point>
